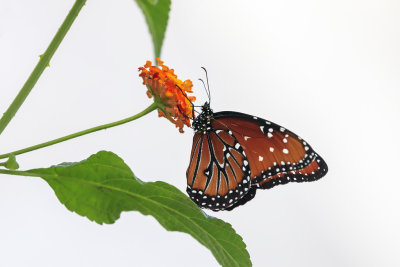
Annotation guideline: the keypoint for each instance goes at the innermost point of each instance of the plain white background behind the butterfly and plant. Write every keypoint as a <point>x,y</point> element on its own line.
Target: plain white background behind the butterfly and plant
<point>327,70</point>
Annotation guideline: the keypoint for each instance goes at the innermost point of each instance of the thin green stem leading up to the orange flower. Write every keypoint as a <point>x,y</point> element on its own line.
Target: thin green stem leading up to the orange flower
<point>91,130</point>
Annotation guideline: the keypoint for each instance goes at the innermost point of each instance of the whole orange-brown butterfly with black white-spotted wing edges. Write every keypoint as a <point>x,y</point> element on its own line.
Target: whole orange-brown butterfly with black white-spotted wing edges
<point>235,154</point>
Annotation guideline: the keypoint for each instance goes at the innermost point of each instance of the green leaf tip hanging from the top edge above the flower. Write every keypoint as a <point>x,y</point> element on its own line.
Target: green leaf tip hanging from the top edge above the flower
<point>156,13</point>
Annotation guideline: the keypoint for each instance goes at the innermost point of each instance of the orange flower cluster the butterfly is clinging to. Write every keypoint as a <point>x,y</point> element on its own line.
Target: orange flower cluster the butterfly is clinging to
<point>169,93</point>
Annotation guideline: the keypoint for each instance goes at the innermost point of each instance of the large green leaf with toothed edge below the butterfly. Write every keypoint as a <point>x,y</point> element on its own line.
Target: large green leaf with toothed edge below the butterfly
<point>103,186</point>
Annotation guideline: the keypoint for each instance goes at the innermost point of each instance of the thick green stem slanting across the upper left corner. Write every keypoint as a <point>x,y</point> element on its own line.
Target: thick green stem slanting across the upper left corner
<point>42,64</point>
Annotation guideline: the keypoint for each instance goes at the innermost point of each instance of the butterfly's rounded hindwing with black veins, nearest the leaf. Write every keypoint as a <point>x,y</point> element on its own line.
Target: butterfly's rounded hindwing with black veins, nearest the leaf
<point>218,175</point>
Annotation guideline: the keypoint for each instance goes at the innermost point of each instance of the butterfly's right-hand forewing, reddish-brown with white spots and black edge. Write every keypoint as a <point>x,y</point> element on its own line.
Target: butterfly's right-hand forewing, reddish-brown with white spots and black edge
<point>275,154</point>
